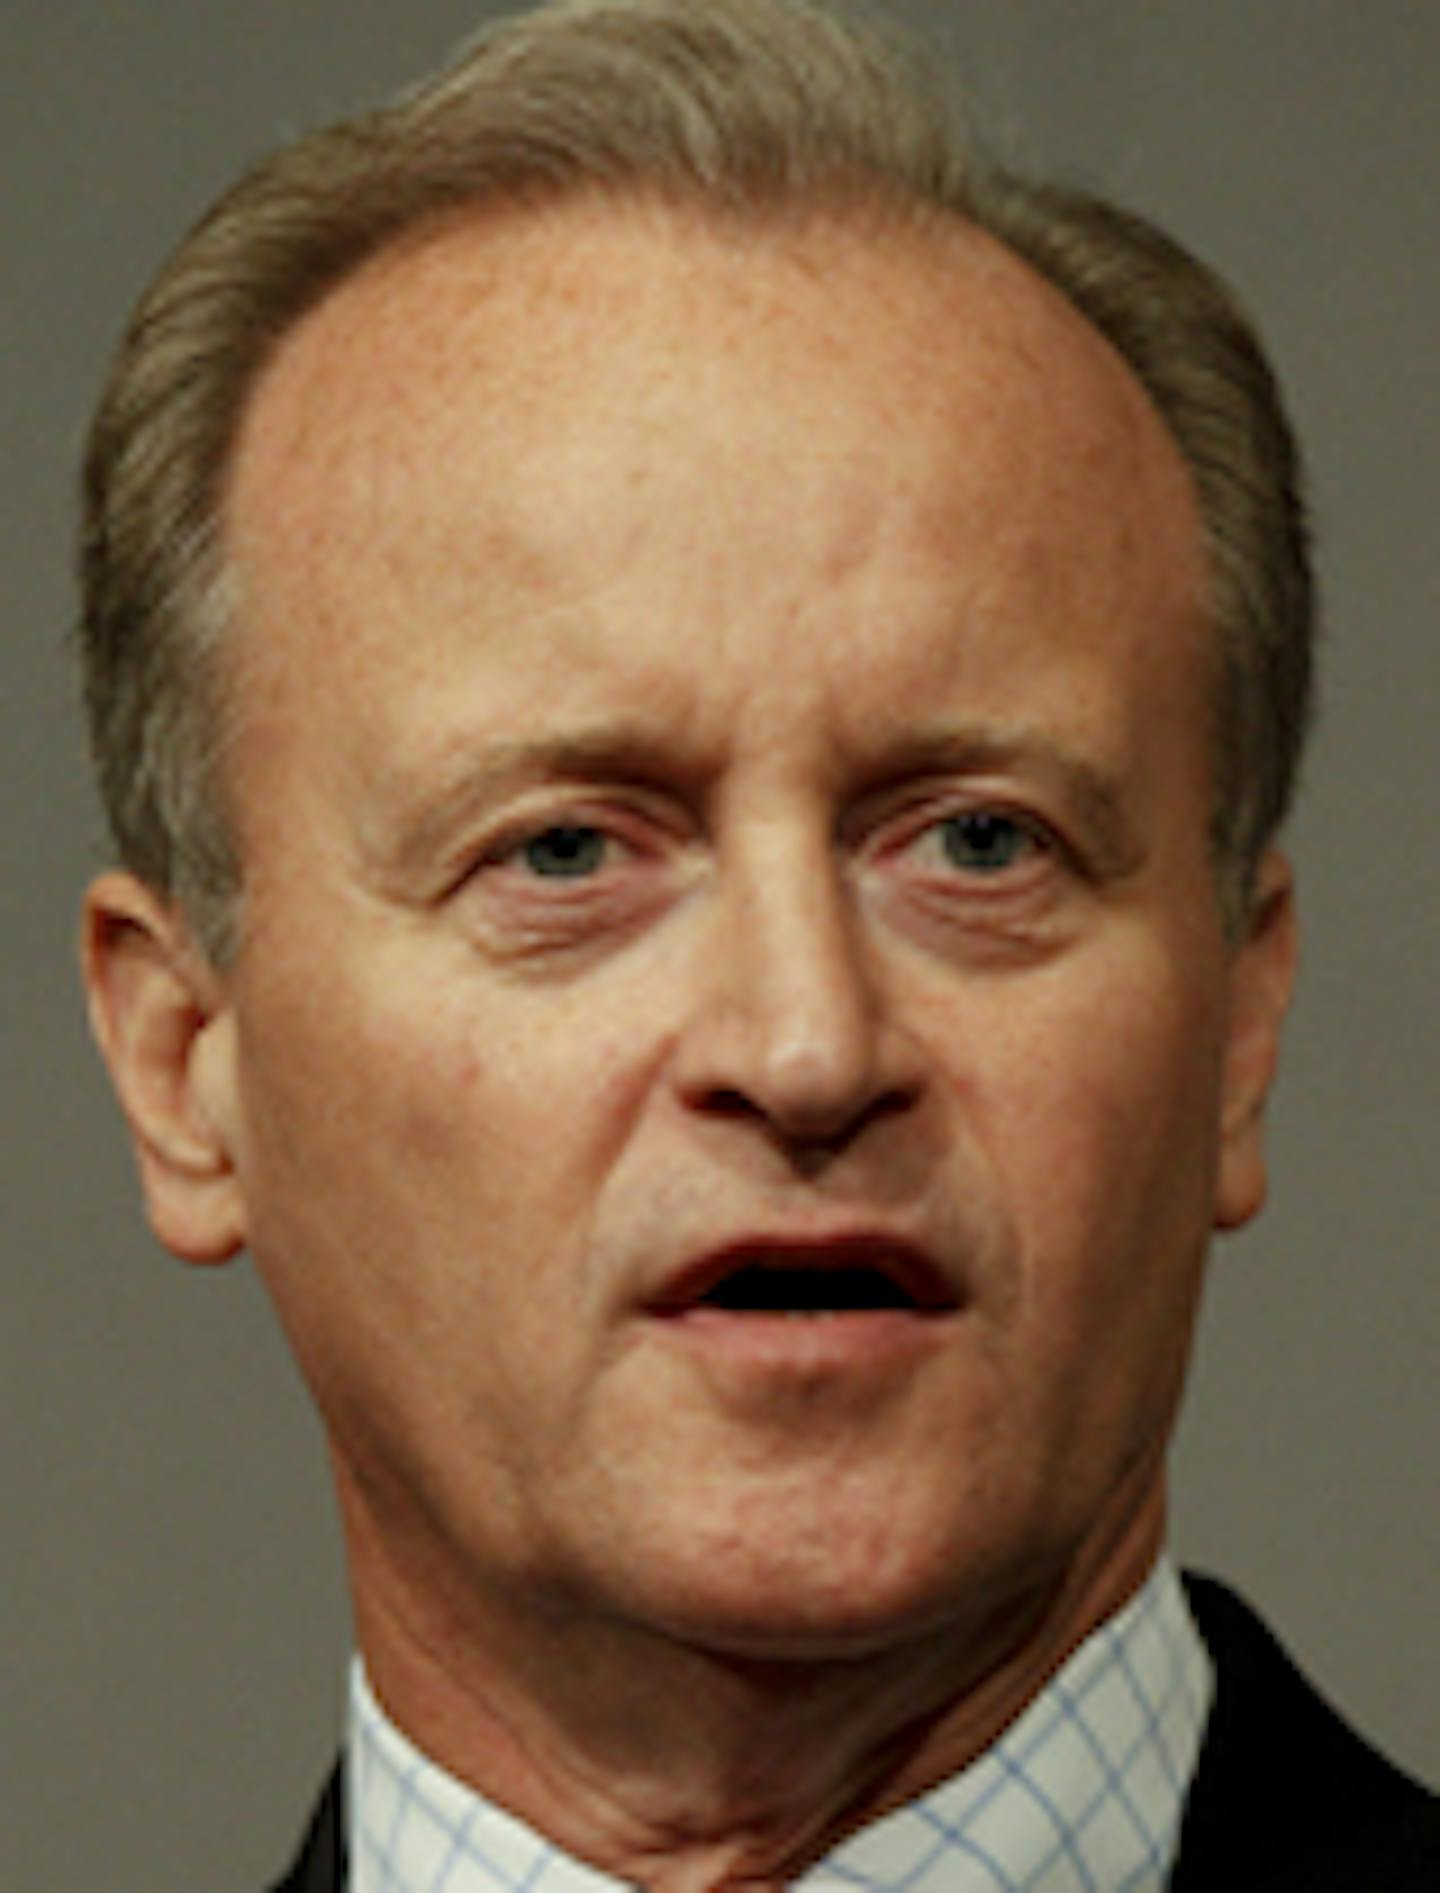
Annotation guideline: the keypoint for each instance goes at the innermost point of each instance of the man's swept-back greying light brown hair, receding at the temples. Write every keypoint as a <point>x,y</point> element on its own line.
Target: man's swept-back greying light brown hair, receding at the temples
<point>739,107</point>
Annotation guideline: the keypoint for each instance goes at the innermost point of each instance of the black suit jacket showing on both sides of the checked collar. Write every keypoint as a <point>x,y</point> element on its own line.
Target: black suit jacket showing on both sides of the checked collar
<point>1288,1799</point>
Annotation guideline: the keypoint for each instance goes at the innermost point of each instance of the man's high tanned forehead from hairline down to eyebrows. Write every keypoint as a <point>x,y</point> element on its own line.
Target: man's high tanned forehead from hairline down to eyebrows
<point>597,425</point>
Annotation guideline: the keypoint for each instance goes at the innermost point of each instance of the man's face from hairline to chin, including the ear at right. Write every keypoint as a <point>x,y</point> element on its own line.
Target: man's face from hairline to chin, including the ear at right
<point>733,1059</point>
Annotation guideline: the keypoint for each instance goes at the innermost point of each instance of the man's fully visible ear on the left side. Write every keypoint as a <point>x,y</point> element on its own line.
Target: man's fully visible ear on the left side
<point>160,1016</point>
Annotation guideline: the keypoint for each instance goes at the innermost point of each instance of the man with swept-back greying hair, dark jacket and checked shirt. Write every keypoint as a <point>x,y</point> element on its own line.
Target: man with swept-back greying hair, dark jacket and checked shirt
<point>697,698</point>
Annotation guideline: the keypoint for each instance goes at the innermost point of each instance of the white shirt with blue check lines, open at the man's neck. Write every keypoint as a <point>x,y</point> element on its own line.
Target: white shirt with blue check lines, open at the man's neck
<point>1081,1796</point>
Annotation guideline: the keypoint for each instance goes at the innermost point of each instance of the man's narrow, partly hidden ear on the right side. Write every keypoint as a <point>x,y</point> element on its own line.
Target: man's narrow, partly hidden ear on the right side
<point>1261,985</point>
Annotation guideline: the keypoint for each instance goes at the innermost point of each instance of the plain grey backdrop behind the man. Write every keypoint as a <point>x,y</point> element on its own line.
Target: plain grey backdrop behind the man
<point>175,1606</point>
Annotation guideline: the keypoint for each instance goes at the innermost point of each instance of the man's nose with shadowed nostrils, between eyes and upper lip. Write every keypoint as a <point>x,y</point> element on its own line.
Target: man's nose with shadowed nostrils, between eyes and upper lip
<point>792,1027</point>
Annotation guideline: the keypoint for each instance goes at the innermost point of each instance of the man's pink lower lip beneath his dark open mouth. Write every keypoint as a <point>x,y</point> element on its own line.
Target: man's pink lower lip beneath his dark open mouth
<point>809,1345</point>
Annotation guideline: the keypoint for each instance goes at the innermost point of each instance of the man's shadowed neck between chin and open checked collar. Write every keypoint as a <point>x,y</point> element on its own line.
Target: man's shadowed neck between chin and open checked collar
<point>686,1769</point>
